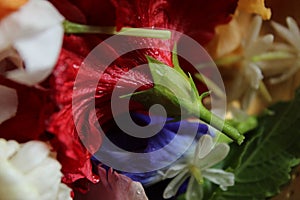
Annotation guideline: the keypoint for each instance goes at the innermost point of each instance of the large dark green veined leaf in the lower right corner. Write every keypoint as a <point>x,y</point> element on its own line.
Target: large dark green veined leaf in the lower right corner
<point>263,164</point>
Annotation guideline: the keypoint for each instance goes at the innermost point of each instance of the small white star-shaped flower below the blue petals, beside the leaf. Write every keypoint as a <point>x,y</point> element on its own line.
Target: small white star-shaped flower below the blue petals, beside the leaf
<point>197,167</point>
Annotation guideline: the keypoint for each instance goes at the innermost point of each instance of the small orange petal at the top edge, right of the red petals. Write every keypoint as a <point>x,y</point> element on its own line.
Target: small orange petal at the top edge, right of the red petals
<point>255,6</point>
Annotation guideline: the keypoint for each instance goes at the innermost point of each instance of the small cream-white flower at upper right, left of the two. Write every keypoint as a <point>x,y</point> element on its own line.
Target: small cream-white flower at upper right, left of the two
<point>248,80</point>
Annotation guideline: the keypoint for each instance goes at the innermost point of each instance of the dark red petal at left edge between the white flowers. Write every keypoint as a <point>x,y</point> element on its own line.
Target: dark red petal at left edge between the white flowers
<point>34,109</point>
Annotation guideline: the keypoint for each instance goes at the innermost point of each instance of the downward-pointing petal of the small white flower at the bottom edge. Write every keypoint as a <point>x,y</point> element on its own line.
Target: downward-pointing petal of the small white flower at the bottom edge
<point>194,190</point>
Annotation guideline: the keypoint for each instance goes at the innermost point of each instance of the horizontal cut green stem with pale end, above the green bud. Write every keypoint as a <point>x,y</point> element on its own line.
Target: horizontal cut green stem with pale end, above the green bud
<point>75,28</point>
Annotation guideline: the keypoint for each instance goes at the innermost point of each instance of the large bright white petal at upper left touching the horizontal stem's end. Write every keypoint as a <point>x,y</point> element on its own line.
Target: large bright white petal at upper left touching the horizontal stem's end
<point>40,54</point>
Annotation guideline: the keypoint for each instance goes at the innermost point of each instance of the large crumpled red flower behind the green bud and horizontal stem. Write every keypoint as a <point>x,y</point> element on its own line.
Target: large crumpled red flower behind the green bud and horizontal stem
<point>196,18</point>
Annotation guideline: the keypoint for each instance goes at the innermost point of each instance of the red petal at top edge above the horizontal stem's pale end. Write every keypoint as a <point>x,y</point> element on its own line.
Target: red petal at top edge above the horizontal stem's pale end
<point>195,18</point>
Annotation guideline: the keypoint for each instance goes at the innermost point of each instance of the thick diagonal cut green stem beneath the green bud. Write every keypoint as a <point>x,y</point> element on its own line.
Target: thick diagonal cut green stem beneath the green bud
<point>219,123</point>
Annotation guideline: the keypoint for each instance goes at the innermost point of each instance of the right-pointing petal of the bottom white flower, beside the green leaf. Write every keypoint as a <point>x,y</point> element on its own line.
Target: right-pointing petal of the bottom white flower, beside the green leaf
<point>219,177</point>
